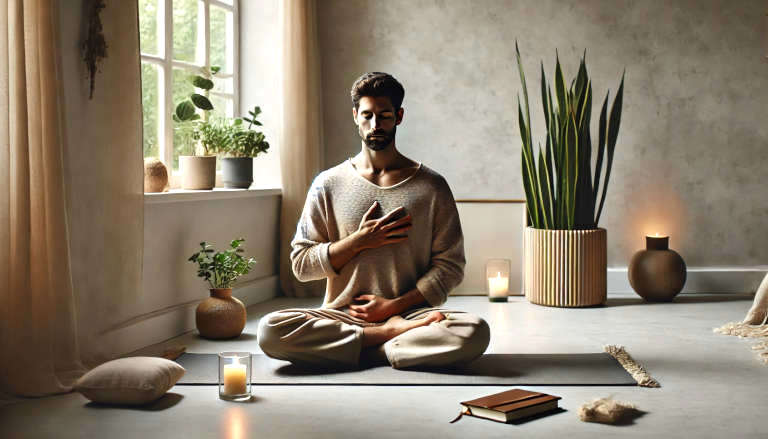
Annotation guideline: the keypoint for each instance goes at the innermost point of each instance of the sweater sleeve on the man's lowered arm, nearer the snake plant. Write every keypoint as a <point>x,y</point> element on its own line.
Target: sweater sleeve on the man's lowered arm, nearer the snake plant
<point>447,261</point>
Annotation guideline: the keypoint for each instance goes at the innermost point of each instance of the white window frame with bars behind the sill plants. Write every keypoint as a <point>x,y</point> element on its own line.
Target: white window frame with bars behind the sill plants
<point>165,63</point>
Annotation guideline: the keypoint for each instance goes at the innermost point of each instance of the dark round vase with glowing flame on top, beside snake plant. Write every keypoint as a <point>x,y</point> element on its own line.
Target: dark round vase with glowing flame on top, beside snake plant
<point>657,273</point>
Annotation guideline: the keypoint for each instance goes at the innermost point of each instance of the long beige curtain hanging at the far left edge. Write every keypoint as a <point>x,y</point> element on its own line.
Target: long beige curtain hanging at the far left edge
<point>38,341</point>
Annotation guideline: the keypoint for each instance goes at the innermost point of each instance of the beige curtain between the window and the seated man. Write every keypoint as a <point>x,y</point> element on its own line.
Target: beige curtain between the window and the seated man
<point>301,138</point>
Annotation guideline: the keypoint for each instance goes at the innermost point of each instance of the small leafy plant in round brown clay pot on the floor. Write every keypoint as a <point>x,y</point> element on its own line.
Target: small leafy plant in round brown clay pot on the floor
<point>221,315</point>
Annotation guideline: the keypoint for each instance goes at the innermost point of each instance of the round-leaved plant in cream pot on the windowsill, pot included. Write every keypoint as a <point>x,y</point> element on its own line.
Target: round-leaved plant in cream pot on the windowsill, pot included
<point>198,171</point>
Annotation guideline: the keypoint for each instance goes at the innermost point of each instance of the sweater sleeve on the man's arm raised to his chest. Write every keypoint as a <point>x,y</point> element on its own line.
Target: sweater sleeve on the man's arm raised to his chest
<point>310,258</point>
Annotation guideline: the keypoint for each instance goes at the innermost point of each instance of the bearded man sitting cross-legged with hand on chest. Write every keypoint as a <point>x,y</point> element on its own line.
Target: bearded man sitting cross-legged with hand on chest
<point>385,232</point>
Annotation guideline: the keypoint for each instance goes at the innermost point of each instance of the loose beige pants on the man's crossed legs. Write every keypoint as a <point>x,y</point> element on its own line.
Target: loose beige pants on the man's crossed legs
<point>330,337</point>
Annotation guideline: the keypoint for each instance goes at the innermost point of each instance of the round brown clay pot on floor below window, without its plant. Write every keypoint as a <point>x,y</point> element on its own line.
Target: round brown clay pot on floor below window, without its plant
<point>221,315</point>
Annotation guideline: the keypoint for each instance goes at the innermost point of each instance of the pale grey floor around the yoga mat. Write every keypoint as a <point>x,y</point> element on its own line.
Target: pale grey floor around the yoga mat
<point>713,386</point>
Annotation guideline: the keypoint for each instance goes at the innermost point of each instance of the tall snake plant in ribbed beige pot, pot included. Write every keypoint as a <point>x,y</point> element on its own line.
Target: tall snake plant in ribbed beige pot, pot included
<point>565,262</point>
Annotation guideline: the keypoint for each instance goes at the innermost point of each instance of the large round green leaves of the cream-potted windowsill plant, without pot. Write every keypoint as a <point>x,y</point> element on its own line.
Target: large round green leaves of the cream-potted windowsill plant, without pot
<point>188,121</point>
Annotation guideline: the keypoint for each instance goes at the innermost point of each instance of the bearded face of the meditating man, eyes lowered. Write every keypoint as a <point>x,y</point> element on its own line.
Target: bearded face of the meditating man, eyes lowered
<point>377,121</point>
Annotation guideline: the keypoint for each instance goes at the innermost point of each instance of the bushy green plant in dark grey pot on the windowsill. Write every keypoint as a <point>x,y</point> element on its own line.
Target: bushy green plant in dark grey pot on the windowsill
<point>244,144</point>
